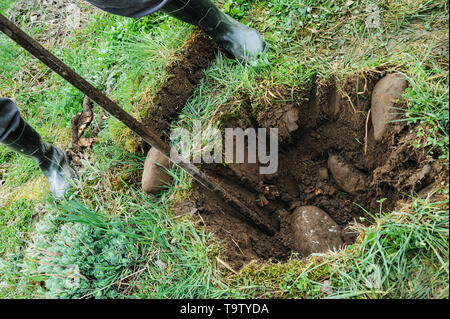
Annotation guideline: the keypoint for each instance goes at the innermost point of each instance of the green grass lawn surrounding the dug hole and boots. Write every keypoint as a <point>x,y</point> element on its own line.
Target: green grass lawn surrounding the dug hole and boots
<point>403,254</point>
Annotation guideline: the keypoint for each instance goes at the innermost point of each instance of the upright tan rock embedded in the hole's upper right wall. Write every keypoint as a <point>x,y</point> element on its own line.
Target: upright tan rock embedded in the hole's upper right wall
<point>387,91</point>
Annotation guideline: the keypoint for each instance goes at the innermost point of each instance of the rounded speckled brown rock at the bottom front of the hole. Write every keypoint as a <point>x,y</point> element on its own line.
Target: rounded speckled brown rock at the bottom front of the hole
<point>315,231</point>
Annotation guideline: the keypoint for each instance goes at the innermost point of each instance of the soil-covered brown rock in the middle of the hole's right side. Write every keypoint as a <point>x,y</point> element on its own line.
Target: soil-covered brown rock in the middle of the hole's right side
<point>347,177</point>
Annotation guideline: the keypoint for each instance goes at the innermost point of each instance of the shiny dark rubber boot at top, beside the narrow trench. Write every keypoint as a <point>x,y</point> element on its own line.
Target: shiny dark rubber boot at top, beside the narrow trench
<point>243,42</point>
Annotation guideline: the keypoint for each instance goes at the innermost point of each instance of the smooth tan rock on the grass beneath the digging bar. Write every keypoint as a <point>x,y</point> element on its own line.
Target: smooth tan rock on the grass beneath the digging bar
<point>155,176</point>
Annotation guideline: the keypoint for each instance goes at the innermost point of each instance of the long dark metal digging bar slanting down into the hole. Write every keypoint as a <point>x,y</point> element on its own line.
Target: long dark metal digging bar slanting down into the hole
<point>38,51</point>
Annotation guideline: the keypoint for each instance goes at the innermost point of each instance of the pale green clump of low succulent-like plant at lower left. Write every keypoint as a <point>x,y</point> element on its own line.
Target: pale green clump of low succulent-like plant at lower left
<point>76,260</point>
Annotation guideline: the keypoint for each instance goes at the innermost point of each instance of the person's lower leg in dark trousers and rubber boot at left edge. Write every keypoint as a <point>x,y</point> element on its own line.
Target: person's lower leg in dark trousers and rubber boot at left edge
<point>19,136</point>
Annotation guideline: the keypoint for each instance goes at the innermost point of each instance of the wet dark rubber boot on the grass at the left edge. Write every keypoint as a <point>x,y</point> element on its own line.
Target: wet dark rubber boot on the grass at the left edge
<point>51,160</point>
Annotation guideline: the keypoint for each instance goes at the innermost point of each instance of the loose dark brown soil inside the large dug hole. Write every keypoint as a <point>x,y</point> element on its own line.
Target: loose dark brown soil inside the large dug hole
<point>315,125</point>
